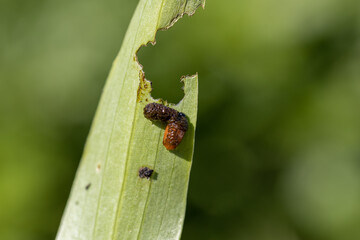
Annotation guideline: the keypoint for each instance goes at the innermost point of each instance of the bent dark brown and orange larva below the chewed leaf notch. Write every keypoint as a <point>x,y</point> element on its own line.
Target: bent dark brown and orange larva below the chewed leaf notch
<point>176,121</point>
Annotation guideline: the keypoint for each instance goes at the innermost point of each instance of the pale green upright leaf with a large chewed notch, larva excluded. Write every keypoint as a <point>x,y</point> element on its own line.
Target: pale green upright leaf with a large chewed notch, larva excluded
<point>108,200</point>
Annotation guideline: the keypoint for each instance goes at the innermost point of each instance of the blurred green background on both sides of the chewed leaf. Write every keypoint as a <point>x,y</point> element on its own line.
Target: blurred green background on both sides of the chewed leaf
<point>277,153</point>
